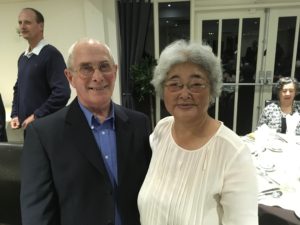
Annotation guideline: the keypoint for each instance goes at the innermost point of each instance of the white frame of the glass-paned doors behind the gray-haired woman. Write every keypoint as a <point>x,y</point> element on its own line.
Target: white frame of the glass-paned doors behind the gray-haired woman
<point>269,18</point>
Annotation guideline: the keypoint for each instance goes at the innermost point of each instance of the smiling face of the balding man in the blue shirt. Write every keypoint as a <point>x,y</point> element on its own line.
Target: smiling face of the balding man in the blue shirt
<point>93,75</point>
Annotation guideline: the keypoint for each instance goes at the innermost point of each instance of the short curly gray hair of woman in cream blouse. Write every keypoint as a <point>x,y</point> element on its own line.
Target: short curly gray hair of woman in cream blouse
<point>182,51</point>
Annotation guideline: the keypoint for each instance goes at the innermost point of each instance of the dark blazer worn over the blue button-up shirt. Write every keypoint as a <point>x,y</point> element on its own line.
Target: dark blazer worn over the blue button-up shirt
<point>63,178</point>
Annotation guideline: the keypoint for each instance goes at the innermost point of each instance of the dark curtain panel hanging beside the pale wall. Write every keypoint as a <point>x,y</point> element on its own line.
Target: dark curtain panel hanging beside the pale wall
<point>134,17</point>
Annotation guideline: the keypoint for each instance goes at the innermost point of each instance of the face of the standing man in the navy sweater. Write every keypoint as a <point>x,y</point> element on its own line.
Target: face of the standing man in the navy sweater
<point>28,26</point>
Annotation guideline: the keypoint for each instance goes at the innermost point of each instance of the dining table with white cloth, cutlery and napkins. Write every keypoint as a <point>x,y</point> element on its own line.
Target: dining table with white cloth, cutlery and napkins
<point>276,158</point>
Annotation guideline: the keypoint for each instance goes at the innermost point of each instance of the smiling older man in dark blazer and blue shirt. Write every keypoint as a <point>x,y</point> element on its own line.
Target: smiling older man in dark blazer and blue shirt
<point>85,164</point>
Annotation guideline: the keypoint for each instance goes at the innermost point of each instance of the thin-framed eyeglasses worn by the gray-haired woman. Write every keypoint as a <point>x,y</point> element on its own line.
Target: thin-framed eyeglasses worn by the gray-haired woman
<point>194,86</point>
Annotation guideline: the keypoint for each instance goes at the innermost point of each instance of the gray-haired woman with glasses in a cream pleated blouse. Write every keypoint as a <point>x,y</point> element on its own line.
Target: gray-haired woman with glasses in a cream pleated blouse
<point>201,172</point>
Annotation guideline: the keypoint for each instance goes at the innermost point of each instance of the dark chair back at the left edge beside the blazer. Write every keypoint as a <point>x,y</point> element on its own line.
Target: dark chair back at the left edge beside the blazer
<point>10,154</point>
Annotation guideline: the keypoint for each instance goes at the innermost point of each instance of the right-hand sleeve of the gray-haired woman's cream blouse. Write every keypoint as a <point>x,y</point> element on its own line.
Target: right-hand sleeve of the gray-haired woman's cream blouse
<point>239,193</point>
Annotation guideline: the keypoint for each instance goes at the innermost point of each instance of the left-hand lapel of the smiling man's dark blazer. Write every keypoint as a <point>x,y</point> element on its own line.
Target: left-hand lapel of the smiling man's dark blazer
<point>79,132</point>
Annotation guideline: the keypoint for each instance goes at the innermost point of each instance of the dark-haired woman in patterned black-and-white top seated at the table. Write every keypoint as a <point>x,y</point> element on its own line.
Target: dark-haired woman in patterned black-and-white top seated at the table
<point>274,115</point>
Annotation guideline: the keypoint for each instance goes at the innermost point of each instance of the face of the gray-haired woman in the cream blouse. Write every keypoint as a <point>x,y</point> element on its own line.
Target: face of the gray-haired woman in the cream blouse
<point>187,91</point>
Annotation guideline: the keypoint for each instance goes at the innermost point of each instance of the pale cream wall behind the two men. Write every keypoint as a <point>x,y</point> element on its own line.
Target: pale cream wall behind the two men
<point>65,22</point>
